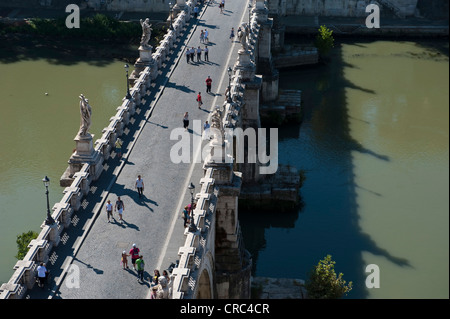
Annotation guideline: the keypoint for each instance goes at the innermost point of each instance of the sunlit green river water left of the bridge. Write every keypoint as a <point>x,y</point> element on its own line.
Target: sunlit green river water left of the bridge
<point>38,130</point>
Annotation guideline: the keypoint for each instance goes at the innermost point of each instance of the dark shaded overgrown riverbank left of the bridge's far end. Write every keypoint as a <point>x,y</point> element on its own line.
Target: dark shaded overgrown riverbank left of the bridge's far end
<point>101,38</point>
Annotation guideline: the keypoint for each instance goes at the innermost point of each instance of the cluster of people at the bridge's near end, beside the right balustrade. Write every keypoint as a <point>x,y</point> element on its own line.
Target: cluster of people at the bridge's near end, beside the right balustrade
<point>160,284</point>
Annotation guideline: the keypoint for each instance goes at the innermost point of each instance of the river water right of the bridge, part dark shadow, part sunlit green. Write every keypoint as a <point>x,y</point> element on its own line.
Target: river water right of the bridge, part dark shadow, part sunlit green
<point>374,145</point>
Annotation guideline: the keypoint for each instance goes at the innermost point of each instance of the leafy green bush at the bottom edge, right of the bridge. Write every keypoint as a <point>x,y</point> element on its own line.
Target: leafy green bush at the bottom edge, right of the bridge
<point>323,282</point>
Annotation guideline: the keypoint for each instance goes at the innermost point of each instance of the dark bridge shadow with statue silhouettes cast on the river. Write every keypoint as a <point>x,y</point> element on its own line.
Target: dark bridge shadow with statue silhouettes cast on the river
<point>288,245</point>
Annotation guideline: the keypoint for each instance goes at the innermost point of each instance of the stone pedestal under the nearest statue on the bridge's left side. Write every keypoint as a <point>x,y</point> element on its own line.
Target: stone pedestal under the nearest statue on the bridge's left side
<point>84,154</point>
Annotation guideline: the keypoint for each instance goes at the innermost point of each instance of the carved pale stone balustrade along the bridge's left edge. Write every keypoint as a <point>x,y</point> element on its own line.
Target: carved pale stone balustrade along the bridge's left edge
<point>24,276</point>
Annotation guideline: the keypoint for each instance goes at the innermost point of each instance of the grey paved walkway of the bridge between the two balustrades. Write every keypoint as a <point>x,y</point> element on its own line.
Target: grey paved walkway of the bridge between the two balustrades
<point>154,222</point>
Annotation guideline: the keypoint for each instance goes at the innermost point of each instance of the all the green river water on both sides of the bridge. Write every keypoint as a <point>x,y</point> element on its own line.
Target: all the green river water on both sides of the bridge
<point>373,144</point>
